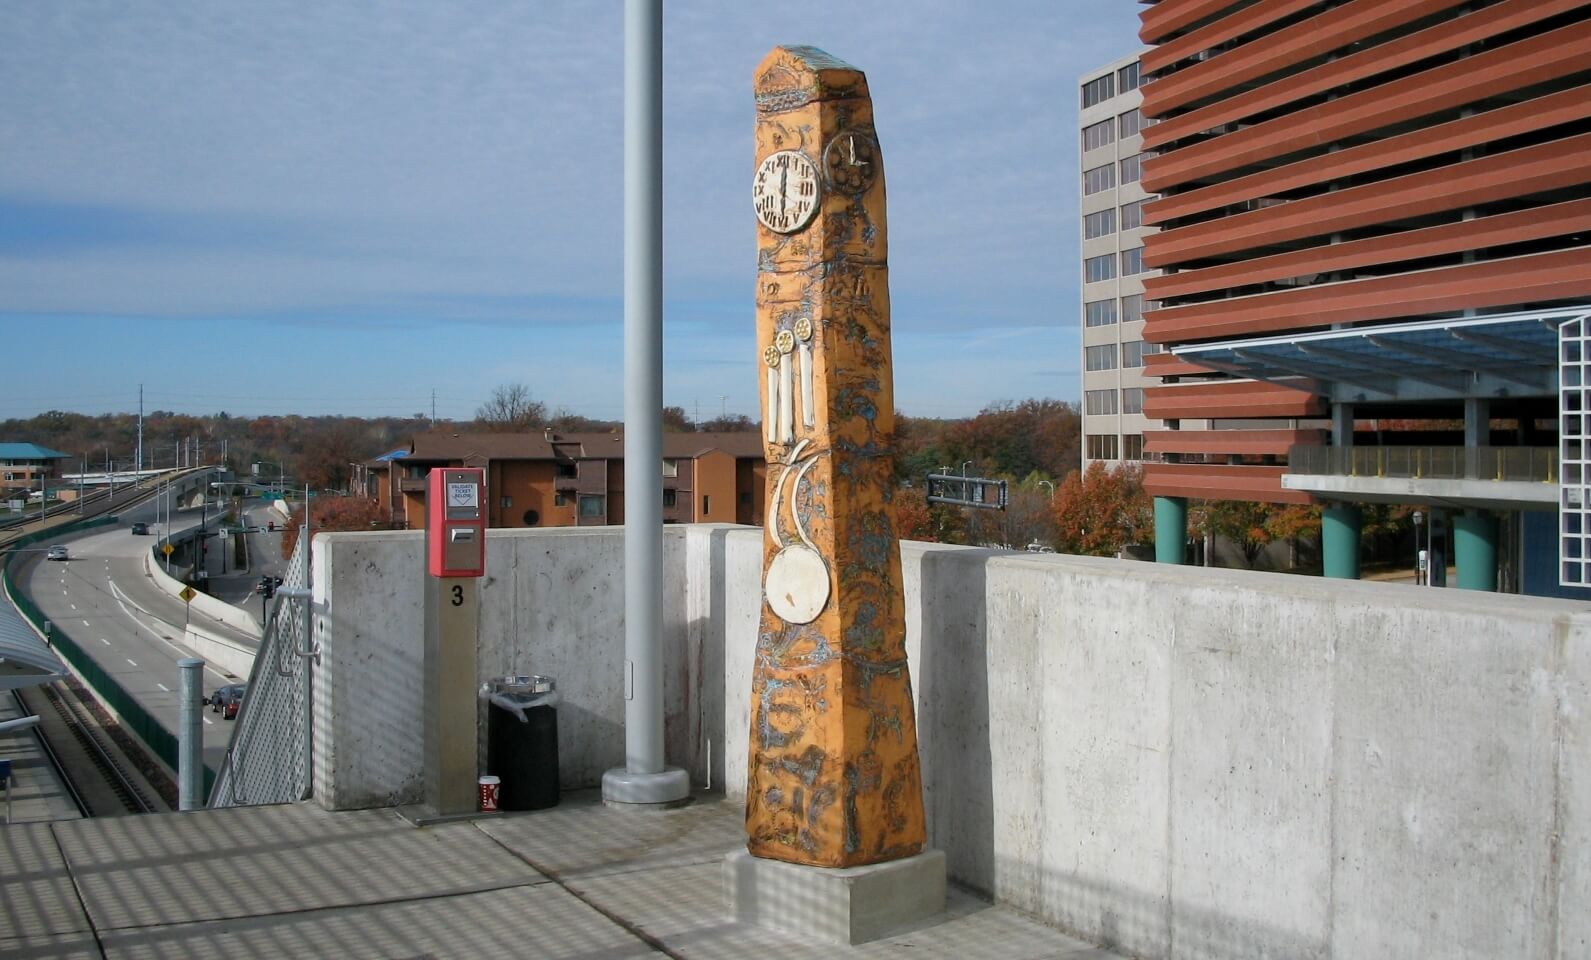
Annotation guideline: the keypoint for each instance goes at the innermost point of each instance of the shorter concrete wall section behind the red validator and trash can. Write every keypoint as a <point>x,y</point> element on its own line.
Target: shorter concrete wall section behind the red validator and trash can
<point>553,604</point>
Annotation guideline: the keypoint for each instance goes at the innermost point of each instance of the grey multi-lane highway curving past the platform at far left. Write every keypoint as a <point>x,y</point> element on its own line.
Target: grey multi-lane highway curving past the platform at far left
<point>128,625</point>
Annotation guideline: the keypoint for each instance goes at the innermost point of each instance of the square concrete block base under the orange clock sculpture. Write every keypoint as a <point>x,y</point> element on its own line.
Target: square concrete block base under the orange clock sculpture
<point>849,905</point>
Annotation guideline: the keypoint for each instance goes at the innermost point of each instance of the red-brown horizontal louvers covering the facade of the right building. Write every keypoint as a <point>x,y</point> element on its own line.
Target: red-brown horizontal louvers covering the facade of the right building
<point>1348,165</point>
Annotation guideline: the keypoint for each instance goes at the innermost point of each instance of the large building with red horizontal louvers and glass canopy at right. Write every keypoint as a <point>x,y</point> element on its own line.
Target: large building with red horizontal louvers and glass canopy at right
<point>1372,213</point>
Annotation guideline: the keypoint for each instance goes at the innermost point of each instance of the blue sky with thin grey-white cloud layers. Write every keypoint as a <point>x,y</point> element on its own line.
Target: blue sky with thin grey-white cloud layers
<point>341,208</point>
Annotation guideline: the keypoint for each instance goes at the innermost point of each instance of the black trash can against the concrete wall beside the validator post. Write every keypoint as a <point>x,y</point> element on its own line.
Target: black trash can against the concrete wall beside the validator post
<point>523,743</point>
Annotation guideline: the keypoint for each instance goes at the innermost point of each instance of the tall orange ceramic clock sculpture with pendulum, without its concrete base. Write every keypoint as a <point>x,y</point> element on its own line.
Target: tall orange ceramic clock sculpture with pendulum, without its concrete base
<point>834,776</point>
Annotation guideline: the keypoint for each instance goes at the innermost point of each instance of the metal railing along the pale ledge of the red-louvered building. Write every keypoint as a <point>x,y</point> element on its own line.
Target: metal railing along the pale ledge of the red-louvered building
<point>1482,464</point>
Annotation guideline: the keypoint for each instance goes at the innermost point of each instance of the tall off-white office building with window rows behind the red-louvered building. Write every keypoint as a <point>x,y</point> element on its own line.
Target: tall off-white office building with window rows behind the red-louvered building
<point>1113,270</point>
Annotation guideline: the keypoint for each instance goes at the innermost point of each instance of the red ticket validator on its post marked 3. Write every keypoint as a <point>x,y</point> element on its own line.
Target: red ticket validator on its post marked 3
<point>456,556</point>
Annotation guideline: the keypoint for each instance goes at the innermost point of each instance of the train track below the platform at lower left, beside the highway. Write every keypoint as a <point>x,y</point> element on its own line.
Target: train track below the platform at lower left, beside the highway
<point>80,747</point>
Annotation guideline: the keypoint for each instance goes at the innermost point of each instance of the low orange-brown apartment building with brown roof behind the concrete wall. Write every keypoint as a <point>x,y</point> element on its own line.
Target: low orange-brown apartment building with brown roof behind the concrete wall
<point>577,480</point>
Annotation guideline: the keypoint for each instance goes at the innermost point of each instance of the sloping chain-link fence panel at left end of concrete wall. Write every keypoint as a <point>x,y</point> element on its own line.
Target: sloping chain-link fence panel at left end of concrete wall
<point>270,760</point>
